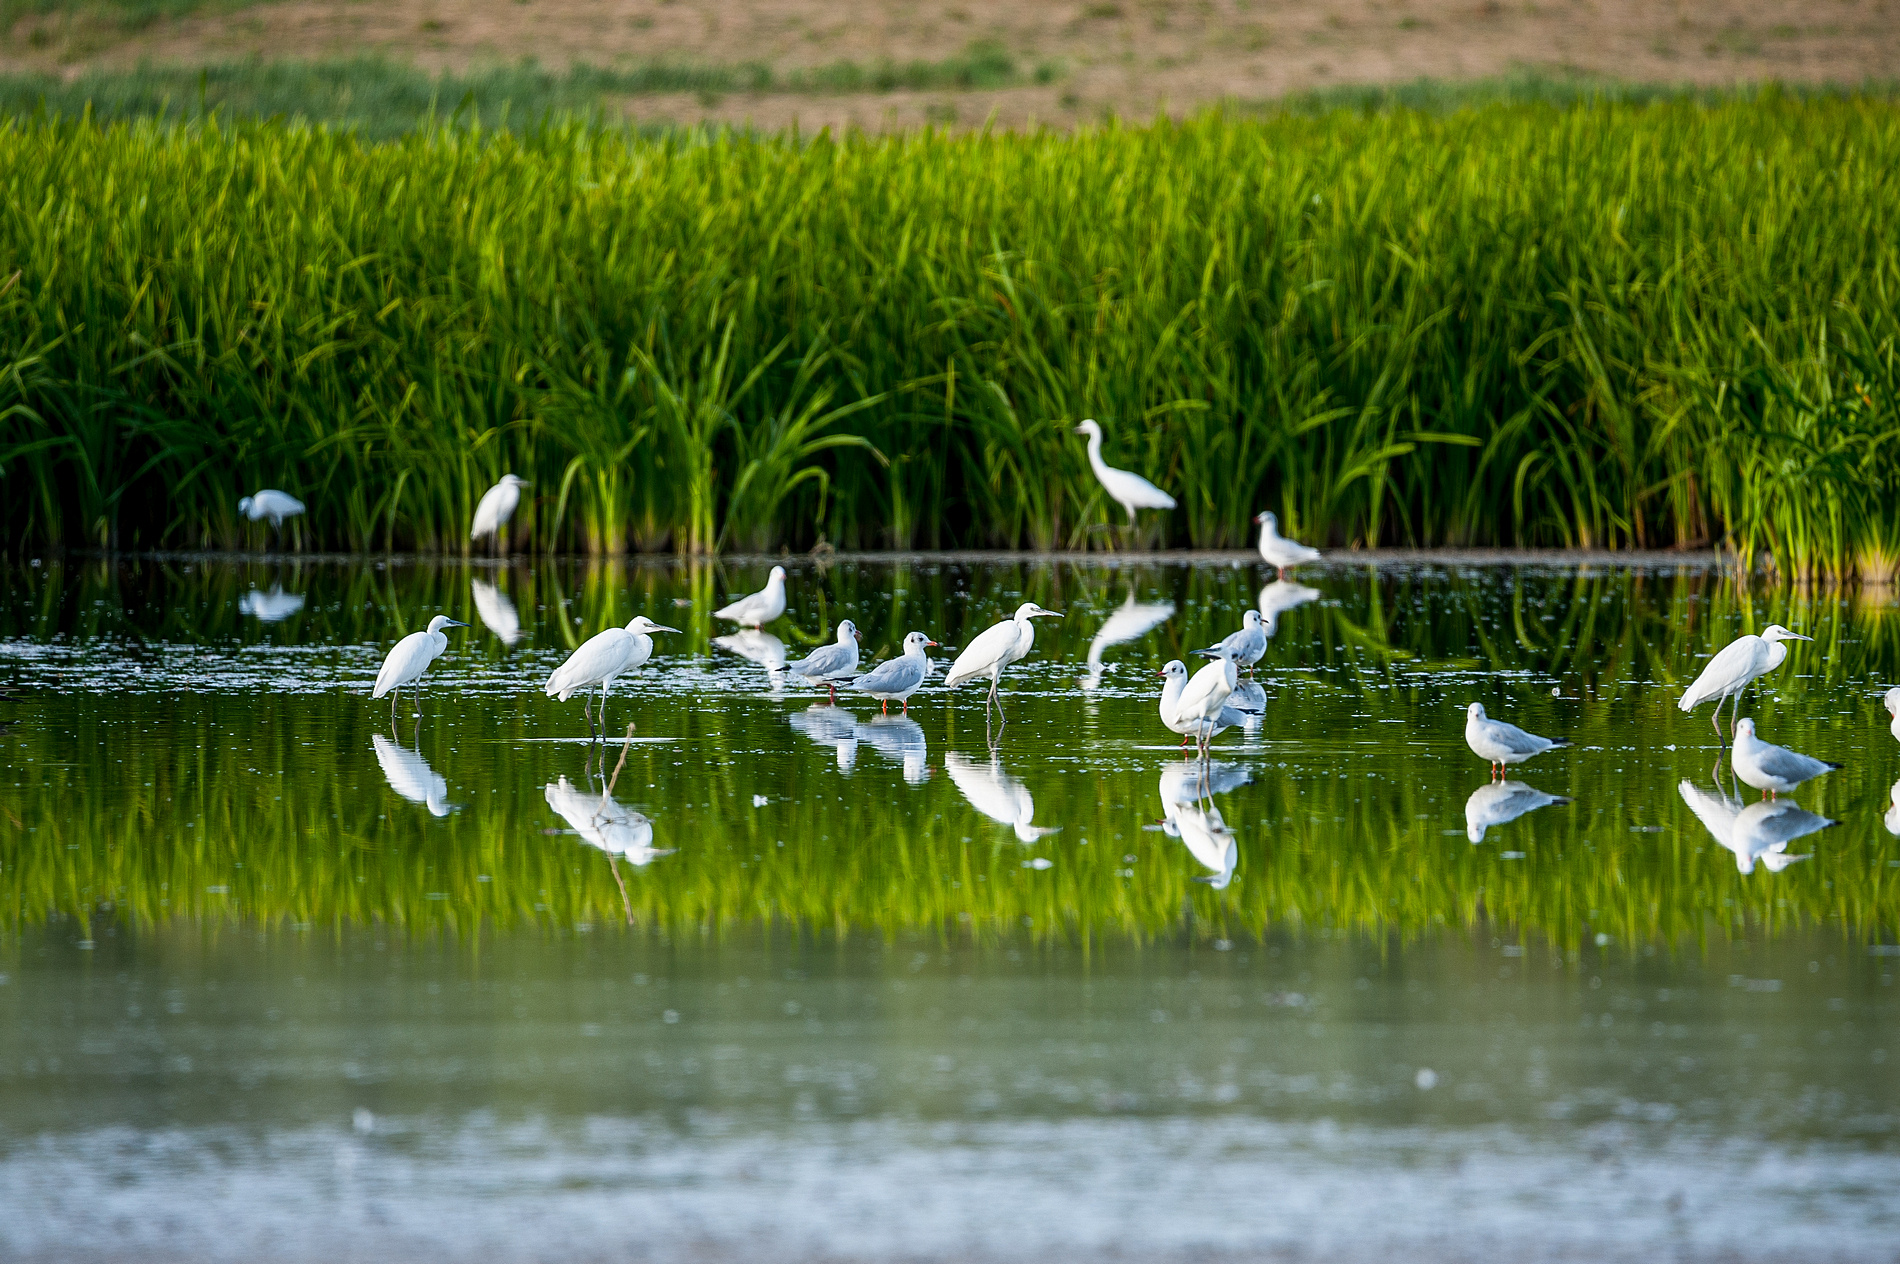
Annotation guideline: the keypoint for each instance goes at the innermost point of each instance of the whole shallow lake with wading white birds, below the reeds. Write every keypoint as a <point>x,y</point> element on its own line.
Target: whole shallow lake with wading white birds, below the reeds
<point>810,984</point>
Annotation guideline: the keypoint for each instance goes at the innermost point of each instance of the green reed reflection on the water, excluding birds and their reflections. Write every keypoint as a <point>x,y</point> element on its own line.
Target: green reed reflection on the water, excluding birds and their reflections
<point>176,759</point>
